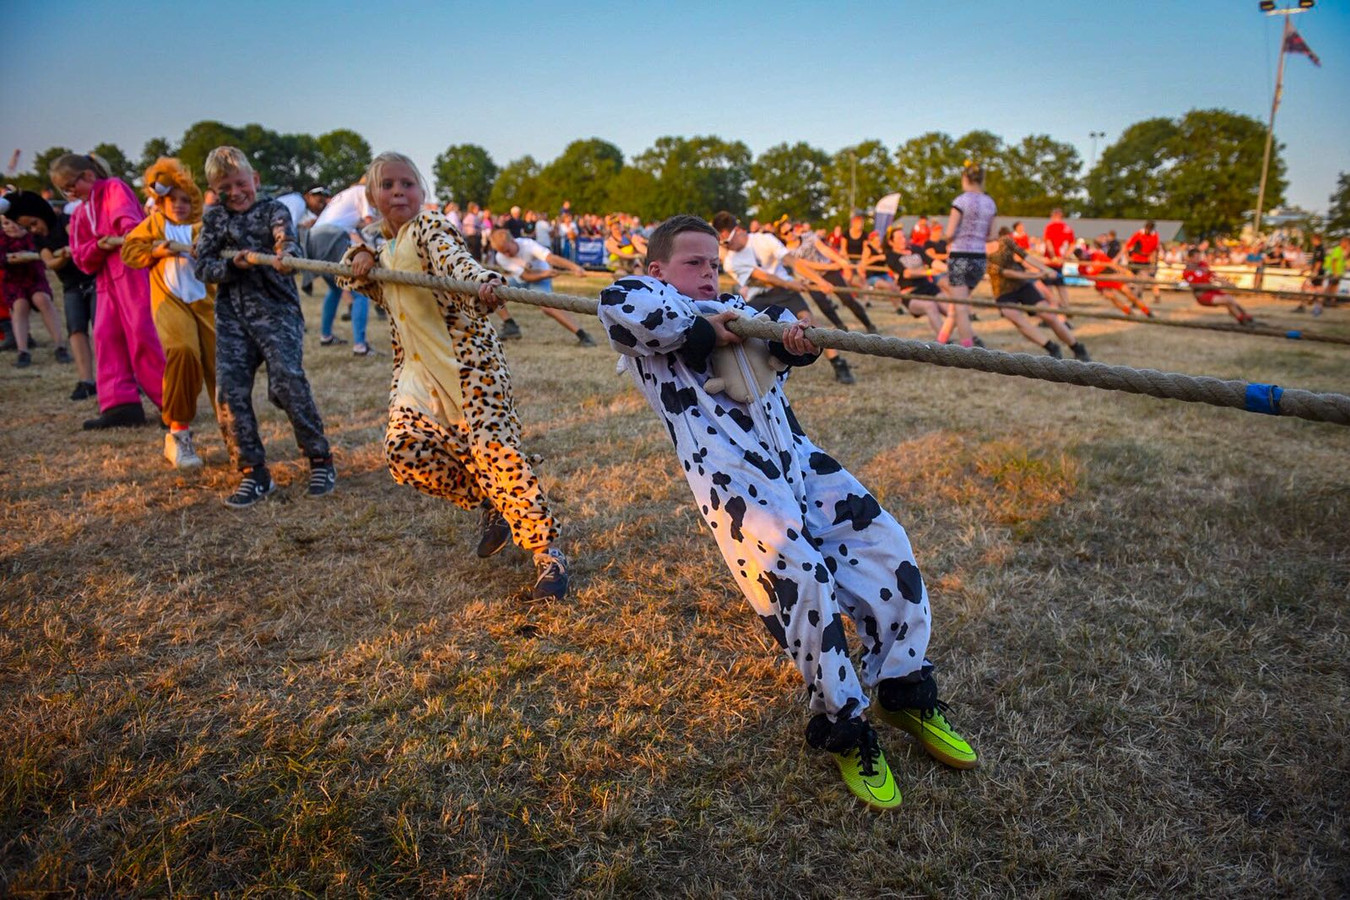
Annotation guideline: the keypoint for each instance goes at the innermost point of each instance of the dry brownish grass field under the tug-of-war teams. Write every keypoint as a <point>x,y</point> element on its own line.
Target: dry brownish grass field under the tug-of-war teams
<point>1141,621</point>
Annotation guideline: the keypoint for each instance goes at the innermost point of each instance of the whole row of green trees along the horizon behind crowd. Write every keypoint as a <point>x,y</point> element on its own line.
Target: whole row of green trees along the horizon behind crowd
<point>1201,168</point>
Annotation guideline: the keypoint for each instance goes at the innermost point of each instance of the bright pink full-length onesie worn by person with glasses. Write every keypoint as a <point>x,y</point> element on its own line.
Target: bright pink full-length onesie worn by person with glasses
<point>126,345</point>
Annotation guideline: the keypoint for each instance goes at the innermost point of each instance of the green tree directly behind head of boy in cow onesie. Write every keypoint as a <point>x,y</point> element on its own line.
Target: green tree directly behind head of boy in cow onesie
<point>700,176</point>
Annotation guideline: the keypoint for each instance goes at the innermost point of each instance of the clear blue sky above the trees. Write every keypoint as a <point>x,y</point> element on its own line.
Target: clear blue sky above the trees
<point>530,78</point>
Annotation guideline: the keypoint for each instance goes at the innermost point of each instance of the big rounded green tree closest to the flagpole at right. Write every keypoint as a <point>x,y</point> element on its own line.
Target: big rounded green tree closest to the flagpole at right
<point>1213,181</point>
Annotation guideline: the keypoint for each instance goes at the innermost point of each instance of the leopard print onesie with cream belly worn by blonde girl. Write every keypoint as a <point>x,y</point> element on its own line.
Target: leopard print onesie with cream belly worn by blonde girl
<point>453,427</point>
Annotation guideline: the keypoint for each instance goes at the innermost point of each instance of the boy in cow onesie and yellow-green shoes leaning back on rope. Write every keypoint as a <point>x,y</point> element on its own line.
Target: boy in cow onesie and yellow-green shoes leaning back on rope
<point>807,543</point>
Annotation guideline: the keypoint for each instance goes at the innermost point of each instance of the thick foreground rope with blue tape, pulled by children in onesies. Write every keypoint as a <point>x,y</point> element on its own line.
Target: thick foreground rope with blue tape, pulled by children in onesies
<point>1270,400</point>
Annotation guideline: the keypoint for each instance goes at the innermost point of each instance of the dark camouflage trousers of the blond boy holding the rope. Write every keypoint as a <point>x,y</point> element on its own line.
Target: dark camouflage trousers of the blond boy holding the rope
<point>252,331</point>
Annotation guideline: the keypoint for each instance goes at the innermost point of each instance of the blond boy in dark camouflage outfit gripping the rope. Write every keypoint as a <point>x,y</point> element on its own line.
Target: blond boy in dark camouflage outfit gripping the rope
<point>259,320</point>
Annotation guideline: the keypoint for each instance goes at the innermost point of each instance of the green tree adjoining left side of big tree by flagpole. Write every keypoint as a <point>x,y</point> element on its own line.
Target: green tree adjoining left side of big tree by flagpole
<point>1131,179</point>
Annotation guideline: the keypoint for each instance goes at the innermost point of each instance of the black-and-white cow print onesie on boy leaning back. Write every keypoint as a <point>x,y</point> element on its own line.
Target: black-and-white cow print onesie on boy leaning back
<point>804,539</point>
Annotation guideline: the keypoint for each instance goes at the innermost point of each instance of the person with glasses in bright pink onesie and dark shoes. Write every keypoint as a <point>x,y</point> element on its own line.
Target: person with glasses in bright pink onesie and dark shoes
<point>126,346</point>
